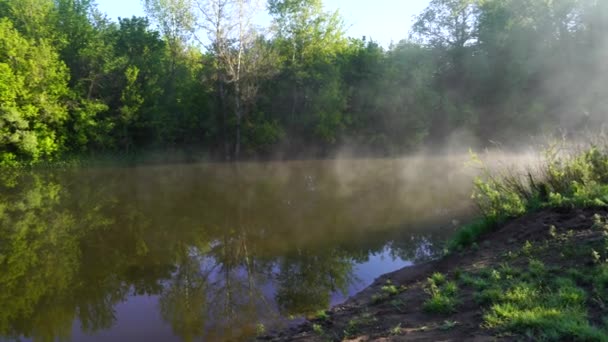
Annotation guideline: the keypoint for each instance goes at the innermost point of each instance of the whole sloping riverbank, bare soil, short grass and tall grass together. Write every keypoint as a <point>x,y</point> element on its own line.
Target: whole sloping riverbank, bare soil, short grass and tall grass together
<point>533,266</point>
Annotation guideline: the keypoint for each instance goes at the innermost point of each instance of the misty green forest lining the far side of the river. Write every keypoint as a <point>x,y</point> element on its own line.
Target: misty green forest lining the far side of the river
<point>197,75</point>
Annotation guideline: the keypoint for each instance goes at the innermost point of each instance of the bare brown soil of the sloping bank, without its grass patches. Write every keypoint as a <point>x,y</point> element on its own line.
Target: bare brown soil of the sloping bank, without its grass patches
<point>396,305</point>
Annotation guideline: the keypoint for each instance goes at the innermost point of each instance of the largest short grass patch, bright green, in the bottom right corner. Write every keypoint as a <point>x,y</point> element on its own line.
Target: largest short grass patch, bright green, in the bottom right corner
<point>542,302</point>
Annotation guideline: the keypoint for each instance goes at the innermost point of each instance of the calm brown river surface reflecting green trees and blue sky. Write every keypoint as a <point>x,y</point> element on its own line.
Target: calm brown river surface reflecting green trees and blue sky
<point>215,250</point>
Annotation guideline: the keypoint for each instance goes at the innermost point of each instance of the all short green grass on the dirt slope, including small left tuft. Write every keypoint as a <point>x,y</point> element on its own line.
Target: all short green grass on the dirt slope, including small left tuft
<point>540,299</point>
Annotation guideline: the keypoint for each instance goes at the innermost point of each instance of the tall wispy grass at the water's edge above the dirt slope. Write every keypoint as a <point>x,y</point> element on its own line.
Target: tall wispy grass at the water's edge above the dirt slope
<point>576,177</point>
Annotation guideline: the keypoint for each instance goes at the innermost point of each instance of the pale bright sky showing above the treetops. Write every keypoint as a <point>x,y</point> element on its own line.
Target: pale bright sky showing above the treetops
<point>381,20</point>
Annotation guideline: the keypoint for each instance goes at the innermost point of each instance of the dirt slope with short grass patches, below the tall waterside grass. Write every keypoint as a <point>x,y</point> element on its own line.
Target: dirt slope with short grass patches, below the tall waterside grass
<point>541,276</point>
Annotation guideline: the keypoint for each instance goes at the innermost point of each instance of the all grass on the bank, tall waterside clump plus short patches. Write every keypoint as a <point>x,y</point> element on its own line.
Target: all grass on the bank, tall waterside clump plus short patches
<point>539,301</point>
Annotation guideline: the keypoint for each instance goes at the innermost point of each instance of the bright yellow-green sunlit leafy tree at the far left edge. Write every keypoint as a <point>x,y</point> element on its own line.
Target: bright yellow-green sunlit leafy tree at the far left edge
<point>33,87</point>
